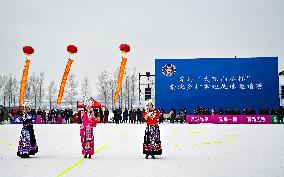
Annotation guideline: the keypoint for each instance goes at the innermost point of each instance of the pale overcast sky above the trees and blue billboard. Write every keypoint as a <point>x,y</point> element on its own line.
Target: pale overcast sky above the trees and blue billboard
<point>153,28</point>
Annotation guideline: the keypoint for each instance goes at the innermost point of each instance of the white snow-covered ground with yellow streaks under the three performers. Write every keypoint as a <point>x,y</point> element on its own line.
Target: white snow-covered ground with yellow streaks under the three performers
<point>202,150</point>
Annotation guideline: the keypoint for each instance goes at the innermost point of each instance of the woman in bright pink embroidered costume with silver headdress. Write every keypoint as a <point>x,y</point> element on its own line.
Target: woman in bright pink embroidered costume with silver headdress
<point>89,121</point>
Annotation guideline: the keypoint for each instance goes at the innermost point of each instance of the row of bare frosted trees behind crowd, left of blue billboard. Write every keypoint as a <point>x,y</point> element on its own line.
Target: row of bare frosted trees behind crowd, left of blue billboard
<point>40,91</point>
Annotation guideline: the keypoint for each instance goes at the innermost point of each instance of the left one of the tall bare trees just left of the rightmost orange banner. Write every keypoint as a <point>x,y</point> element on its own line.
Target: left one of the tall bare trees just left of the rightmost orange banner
<point>103,87</point>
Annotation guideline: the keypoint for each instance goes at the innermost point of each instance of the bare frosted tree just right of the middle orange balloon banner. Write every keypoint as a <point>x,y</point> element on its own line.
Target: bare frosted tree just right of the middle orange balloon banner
<point>71,90</point>
